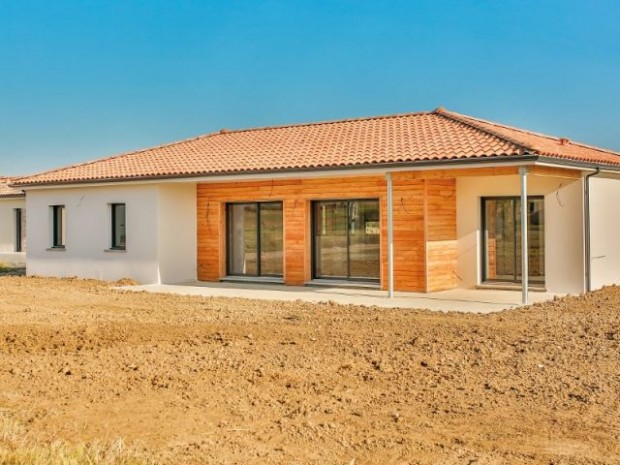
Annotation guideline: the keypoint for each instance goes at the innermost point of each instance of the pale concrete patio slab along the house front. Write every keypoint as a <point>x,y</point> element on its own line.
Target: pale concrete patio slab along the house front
<point>459,300</point>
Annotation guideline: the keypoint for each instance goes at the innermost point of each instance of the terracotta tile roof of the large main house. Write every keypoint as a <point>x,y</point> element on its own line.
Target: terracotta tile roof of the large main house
<point>408,138</point>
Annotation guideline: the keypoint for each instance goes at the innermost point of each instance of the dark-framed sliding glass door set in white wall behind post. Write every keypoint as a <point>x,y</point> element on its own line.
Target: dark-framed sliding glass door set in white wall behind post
<point>502,239</point>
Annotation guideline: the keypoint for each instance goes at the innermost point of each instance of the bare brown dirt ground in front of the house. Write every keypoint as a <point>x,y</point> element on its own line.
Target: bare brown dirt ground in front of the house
<point>225,381</point>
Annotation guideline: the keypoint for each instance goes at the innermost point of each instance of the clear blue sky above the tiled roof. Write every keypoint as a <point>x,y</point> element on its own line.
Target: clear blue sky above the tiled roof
<point>85,79</point>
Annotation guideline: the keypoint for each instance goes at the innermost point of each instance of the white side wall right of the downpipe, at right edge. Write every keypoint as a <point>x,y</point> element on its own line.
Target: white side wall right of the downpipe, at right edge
<point>605,231</point>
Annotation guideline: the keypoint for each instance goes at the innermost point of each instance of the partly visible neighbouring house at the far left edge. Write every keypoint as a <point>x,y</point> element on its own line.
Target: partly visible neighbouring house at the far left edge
<point>12,224</point>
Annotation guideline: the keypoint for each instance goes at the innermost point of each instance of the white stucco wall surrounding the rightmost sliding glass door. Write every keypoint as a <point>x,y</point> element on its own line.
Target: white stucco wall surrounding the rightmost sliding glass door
<point>564,252</point>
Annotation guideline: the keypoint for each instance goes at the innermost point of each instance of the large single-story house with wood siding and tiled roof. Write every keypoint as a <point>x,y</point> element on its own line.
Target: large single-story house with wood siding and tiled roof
<point>412,202</point>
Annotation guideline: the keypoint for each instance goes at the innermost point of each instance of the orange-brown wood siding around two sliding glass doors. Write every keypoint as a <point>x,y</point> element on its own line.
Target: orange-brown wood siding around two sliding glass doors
<point>416,255</point>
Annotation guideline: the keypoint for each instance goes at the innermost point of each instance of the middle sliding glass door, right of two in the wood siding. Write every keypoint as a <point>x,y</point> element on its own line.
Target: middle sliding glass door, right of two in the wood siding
<point>346,237</point>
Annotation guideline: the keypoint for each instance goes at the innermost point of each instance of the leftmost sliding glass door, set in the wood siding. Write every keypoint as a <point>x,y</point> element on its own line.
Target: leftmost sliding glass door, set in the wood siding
<point>255,239</point>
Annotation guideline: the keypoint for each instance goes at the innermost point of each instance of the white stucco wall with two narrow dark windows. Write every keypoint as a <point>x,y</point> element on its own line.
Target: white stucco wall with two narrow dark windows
<point>151,256</point>
